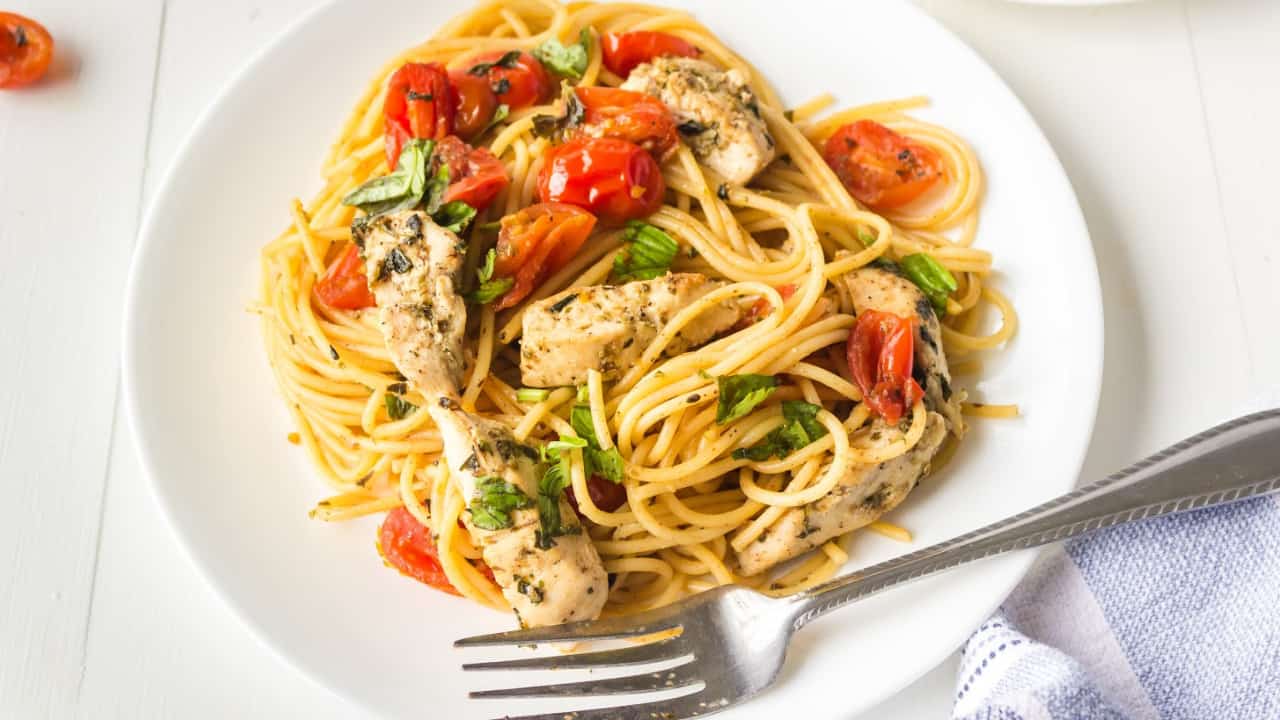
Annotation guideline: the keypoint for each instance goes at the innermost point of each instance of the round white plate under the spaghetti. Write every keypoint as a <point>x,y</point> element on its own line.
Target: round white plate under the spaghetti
<point>212,430</point>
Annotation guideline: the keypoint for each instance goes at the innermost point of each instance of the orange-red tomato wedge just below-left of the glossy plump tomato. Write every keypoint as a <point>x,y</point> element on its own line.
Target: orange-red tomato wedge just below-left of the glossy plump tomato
<point>536,243</point>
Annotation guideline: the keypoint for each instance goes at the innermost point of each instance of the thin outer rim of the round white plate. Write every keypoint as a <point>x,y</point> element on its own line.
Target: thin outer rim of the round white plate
<point>145,453</point>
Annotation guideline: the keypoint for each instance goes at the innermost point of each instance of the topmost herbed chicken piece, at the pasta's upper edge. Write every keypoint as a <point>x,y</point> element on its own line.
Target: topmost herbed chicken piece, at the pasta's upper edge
<point>717,113</point>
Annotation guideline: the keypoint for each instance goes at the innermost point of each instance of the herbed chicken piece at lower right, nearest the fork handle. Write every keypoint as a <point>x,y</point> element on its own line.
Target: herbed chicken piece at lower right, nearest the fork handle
<point>860,499</point>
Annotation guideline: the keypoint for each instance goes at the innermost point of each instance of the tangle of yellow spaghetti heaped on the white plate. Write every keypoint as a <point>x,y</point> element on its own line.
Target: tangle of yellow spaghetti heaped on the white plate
<point>691,504</point>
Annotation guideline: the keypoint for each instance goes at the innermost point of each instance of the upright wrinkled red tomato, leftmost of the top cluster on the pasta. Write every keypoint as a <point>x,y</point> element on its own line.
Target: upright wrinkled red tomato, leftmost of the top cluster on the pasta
<point>419,104</point>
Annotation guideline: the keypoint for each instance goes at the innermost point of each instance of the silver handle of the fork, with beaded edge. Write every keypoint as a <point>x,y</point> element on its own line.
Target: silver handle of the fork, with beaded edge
<point>1233,462</point>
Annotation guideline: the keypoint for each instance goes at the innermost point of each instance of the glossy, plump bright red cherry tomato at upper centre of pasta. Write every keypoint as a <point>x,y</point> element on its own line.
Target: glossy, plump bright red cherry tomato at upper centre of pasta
<point>614,179</point>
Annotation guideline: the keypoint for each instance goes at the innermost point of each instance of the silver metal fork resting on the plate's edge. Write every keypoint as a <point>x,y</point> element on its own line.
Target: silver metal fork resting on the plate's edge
<point>733,641</point>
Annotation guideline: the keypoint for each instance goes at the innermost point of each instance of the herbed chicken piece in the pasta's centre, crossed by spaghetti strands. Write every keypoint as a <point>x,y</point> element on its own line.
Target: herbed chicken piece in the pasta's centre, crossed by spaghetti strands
<point>609,327</point>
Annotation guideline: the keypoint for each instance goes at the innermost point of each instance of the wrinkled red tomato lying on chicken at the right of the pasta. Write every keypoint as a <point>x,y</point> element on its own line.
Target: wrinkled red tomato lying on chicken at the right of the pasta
<point>881,354</point>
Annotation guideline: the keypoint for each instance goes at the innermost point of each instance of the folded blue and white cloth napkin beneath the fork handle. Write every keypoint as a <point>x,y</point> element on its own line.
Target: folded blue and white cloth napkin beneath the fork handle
<point>1173,618</point>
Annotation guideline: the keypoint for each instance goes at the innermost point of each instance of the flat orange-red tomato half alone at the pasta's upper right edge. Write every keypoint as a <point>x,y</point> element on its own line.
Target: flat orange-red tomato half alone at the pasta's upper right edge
<point>880,167</point>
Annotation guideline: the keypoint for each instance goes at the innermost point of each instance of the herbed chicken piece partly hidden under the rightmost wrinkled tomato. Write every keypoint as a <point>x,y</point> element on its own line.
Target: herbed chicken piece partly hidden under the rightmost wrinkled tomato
<point>883,288</point>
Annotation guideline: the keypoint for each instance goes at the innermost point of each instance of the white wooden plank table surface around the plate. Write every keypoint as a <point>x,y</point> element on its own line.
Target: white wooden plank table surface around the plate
<point>1165,115</point>
